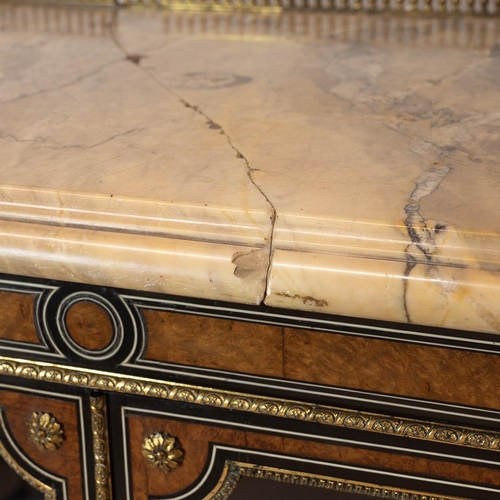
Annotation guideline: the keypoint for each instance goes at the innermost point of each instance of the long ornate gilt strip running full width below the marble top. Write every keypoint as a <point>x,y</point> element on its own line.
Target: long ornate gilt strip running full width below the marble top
<point>251,403</point>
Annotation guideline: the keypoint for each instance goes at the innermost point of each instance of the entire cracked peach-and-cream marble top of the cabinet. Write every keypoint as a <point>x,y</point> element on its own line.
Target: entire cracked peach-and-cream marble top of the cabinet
<point>337,163</point>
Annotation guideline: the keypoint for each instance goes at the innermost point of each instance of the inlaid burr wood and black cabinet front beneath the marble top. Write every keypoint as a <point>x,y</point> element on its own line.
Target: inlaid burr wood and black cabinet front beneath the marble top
<point>149,396</point>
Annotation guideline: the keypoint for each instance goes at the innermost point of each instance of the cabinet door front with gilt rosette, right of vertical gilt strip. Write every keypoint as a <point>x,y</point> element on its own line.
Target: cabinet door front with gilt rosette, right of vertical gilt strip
<point>217,458</point>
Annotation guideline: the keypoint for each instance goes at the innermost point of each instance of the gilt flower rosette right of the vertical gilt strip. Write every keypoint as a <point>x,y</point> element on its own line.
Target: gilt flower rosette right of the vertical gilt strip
<point>162,452</point>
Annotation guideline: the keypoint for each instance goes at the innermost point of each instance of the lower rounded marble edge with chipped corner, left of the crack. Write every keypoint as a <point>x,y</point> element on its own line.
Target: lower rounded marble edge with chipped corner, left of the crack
<point>196,269</point>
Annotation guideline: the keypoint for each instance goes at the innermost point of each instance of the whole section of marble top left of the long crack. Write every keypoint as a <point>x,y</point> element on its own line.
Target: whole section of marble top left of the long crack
<point>108,178</point>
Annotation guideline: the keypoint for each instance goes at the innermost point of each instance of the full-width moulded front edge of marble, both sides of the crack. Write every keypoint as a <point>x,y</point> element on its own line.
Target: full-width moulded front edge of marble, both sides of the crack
<point>312,268</point>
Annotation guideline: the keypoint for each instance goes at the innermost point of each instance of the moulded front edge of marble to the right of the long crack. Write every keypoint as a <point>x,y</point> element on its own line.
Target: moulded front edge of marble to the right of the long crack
<point>364,273</point>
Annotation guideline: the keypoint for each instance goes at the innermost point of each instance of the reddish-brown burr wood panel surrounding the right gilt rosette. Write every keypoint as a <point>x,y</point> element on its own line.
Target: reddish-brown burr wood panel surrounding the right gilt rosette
<point>195,440</point>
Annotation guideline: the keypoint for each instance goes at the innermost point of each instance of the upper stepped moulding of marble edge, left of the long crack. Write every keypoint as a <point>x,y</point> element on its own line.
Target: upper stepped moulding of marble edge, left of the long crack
<point>125,214</point>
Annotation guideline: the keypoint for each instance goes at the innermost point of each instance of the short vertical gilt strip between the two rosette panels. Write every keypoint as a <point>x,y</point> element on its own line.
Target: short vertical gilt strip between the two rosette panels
<point>100,445</point>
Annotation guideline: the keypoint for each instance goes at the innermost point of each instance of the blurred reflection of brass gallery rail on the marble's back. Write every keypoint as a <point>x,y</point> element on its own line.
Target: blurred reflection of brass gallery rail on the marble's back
<point>425,31</point>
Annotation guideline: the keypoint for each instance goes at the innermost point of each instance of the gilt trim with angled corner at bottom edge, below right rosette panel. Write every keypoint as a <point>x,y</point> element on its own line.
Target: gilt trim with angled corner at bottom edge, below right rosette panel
<point>233,471</point>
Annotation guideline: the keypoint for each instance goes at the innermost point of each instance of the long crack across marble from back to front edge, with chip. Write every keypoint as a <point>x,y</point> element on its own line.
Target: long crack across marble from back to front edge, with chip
<point>247,258</point>
